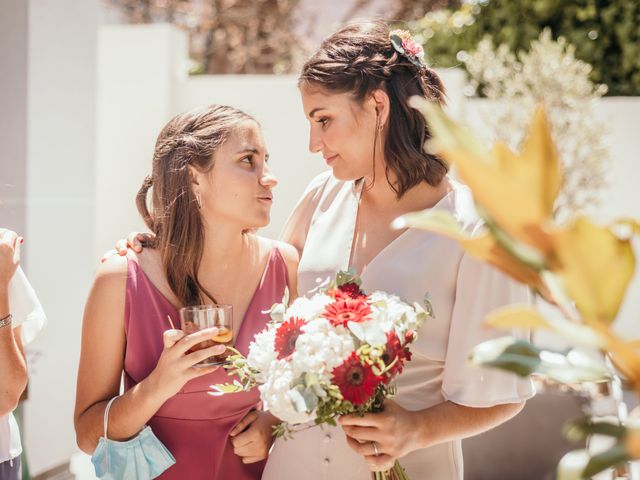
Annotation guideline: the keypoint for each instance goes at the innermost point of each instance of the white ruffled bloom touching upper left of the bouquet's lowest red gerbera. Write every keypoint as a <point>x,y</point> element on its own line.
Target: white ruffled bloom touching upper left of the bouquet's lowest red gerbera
<point>321,348</point>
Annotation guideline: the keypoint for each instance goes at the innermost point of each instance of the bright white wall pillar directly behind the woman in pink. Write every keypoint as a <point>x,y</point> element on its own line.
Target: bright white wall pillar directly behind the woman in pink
<point>139,70</point>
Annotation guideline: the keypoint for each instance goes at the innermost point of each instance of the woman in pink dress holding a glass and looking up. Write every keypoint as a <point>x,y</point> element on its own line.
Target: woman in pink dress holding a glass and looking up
<point>211,188</point>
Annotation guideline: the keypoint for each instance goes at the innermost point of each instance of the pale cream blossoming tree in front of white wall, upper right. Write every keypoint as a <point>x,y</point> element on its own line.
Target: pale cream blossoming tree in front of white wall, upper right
<point>549,73</point>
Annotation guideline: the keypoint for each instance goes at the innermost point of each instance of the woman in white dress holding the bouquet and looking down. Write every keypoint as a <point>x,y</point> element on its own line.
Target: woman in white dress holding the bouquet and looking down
<point>355,90</point>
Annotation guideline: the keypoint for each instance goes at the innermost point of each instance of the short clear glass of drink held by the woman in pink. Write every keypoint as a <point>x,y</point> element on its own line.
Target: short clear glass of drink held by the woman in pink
<point>199,317</point>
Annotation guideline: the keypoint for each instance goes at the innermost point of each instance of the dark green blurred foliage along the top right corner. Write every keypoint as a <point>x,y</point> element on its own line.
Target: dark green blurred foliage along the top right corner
<point>605,34</point>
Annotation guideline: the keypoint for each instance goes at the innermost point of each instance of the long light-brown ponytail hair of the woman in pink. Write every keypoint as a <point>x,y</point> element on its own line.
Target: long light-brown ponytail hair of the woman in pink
<point>190,138</point>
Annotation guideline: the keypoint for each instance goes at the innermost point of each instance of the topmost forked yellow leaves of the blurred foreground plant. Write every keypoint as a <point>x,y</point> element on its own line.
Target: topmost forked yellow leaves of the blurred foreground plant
<point>516,191</point>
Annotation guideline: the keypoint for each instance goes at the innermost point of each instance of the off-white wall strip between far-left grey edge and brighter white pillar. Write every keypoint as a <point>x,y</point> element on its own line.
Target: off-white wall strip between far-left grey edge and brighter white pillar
<point>60,211</point>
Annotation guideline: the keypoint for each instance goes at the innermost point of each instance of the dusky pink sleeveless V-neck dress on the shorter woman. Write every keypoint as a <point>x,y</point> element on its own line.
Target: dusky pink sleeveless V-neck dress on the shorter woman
<point>193,425</point>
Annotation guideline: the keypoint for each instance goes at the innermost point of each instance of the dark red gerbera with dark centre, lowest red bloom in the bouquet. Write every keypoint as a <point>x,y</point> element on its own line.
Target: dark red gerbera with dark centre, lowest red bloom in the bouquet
<point>357,382</point>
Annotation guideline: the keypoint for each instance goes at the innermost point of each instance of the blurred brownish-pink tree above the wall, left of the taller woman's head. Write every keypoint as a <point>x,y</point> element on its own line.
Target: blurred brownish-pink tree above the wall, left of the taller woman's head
<point>228,36</point>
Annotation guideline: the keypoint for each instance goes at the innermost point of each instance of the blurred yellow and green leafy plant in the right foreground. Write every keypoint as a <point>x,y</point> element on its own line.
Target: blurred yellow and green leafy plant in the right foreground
<point>580,267</point>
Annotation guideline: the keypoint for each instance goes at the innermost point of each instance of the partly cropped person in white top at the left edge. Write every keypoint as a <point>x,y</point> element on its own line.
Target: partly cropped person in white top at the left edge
<point>21,318</point>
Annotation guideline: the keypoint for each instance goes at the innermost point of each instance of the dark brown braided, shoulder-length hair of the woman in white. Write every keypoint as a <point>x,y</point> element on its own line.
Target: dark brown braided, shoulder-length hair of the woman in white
<point>358,59</point>
